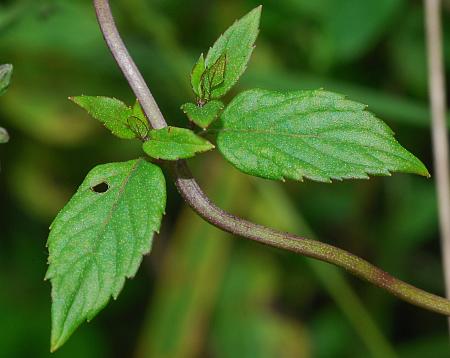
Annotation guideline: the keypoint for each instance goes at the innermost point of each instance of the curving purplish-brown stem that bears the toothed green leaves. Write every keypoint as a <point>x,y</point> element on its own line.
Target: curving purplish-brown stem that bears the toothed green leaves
<point>200,203</point>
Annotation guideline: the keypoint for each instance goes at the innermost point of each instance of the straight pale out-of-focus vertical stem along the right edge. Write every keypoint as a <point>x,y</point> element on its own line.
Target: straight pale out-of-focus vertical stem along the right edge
<point>437,95</point>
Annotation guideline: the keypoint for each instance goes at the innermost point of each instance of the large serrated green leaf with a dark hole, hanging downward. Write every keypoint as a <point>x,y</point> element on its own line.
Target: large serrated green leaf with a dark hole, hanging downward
<point>98,239</point>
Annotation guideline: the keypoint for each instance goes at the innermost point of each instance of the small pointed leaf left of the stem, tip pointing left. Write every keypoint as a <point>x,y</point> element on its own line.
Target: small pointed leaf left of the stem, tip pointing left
<point>111,112</point>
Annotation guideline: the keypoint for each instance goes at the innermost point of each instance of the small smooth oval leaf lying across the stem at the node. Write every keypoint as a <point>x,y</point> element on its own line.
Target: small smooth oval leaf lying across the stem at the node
<point>173,143</point>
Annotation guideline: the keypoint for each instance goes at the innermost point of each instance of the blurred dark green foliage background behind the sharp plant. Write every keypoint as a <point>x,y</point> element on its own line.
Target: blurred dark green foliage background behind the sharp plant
<point>203,293</point>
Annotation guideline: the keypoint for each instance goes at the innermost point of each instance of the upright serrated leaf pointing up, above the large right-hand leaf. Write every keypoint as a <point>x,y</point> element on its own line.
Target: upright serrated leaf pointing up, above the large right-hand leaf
<point>235,47</point>
